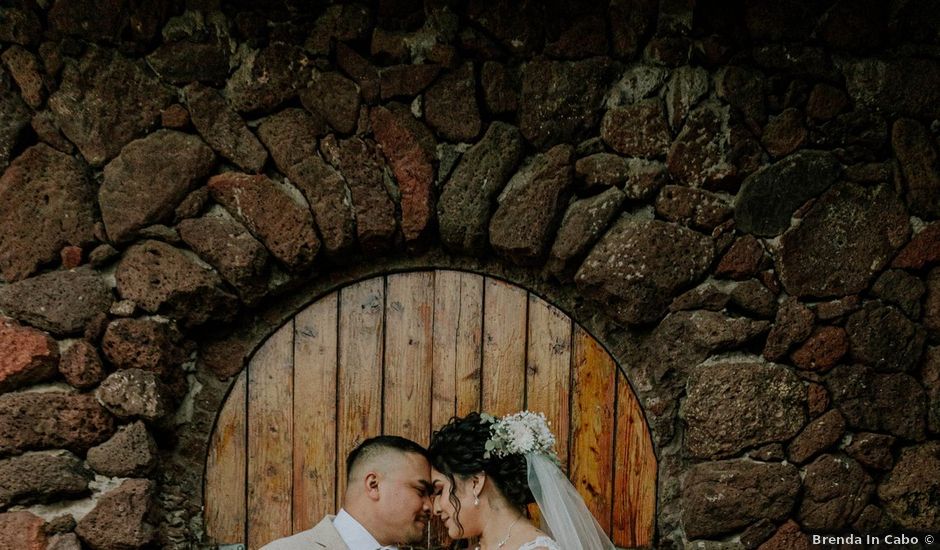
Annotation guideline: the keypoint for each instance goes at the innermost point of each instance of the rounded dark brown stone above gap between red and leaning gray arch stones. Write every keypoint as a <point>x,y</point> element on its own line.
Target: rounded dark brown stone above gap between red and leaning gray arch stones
<point>450,105</point>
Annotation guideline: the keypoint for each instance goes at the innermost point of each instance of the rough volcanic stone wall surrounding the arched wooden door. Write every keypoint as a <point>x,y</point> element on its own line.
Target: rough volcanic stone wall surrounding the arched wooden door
<point>741,200</point>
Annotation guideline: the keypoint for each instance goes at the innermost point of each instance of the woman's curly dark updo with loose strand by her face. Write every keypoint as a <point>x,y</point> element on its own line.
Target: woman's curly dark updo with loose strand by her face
<point>457,450</point>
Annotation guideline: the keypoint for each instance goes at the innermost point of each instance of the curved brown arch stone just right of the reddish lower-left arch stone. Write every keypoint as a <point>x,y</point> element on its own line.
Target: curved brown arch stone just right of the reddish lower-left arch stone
<point>327,193</point>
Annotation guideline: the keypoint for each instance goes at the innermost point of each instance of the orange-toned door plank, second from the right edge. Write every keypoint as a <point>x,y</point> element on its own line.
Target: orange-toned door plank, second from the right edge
<point>592,423</point>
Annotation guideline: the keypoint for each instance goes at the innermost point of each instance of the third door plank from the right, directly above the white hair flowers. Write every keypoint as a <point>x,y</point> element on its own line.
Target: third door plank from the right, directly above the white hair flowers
<point>548,369</point>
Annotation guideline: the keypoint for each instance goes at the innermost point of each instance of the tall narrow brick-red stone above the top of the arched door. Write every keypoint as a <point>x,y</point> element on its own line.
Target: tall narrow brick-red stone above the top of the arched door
<point>409,147</point>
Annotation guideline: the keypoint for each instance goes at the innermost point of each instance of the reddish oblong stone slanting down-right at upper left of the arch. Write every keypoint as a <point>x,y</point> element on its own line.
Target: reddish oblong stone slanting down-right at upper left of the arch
<point>240,259</point>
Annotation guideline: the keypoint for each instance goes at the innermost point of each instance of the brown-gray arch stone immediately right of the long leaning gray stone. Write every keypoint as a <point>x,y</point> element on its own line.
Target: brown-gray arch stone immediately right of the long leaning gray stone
<point>531,205</point>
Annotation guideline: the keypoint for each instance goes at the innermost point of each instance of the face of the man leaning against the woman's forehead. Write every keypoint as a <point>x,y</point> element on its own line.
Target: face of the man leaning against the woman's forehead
<point>405,502</point>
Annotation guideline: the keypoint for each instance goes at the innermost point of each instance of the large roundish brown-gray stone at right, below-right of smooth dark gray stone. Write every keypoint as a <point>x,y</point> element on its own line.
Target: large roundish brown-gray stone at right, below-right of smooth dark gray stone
<point>848,236</point>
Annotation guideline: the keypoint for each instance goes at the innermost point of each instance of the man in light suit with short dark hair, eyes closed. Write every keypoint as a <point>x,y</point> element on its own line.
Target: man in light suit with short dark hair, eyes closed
<point>387,500</point>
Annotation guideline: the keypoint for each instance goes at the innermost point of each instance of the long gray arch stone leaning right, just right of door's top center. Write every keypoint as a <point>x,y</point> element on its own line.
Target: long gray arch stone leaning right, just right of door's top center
<point>465,203</point>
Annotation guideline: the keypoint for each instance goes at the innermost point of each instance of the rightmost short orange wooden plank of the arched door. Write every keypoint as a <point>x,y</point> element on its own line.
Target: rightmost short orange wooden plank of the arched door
<point>635,474</point>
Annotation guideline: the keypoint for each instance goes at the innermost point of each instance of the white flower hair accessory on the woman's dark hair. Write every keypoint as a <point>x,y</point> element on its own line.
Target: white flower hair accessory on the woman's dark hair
<point>519,433</point>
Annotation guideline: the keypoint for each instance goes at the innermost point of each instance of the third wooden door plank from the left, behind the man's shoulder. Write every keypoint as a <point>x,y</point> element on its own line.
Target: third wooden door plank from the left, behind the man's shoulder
<point>315,340</point>
